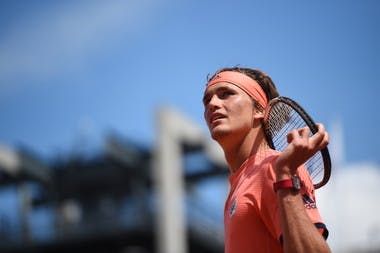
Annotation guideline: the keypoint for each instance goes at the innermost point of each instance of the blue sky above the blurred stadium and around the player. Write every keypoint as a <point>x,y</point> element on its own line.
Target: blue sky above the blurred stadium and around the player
<point>71,71</point>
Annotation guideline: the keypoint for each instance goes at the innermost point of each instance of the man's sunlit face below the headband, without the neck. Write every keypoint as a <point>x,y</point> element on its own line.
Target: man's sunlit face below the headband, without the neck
<point>227,110</point>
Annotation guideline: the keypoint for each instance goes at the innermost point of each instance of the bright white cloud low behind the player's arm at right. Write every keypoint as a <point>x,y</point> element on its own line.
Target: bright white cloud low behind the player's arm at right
<point>350,204</point>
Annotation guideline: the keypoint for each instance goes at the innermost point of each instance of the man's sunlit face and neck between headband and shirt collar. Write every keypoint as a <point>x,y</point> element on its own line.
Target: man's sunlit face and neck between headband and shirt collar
<point>233,122</point>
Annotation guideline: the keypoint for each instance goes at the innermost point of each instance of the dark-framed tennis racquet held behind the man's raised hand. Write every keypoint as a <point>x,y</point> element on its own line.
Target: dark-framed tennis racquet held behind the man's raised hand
<point>282,115</point>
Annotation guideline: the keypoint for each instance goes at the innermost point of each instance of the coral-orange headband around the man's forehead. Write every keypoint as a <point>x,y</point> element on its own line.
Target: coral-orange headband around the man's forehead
<point>244,82</point>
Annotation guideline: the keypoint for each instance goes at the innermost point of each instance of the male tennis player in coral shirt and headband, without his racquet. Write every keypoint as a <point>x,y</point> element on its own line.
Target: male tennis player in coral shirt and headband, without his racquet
<point>271,205</point>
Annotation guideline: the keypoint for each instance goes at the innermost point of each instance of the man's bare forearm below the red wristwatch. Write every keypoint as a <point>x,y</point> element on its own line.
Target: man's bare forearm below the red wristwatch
<point>299,233</point>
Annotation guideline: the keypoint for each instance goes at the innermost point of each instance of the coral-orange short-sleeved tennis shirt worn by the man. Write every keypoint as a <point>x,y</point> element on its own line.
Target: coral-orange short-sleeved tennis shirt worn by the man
<point>251,213</point>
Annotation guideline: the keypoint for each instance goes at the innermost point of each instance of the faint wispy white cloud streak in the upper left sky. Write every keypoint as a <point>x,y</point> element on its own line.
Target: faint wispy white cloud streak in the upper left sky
<point>62,38</point>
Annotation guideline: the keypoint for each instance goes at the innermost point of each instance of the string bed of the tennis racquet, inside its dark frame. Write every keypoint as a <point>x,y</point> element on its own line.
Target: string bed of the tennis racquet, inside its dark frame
<point>282,119</point>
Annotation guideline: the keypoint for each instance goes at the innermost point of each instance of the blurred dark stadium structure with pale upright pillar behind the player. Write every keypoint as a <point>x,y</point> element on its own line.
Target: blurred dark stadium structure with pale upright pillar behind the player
<point>126,198</point>
